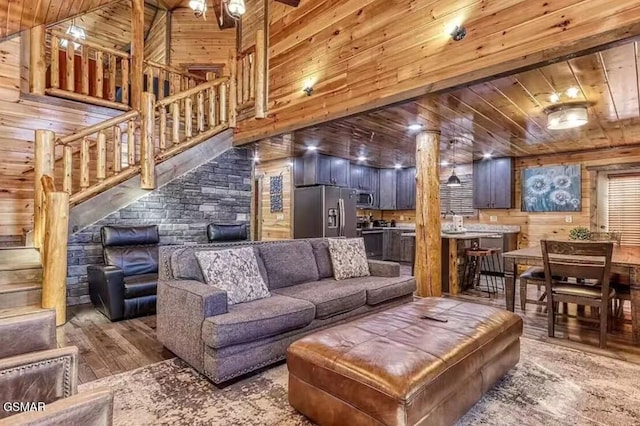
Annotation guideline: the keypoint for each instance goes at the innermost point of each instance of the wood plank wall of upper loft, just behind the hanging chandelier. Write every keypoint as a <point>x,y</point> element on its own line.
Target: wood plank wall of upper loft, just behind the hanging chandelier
<point>195,41</point>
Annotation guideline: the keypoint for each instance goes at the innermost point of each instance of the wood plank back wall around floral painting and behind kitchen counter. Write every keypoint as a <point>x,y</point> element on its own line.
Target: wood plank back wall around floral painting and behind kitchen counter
<point>537,226</point>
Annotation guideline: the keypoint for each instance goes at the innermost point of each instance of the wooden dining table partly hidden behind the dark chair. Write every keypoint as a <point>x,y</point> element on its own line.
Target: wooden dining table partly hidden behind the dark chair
<point>625,261</point>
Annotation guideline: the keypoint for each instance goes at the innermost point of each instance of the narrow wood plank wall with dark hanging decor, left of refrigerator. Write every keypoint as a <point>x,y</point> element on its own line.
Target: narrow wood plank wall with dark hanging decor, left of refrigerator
<point>276,226</point>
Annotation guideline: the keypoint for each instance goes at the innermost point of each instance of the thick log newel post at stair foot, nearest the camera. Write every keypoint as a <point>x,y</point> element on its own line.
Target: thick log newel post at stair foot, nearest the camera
<point>54,275</point>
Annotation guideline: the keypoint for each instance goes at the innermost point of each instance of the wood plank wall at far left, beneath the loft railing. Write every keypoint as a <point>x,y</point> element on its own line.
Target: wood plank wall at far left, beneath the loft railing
<point>20,118</point>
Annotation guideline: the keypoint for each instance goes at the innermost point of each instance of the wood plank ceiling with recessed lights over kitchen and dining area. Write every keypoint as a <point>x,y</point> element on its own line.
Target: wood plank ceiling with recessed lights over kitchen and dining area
<point>503,117</point>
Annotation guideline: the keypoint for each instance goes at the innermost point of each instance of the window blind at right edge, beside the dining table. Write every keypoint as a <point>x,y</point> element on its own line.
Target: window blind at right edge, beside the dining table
<point>624,207</point>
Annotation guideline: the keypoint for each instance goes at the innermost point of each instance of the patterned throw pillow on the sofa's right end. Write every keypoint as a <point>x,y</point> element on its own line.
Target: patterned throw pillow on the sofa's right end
<point>349,258</point>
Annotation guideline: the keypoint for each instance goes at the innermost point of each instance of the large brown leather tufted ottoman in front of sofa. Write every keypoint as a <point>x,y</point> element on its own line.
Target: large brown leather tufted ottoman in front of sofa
<point>394,368</point>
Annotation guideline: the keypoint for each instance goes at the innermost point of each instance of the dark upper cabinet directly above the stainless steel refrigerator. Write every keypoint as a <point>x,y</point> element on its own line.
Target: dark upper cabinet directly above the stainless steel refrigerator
<point>319,169</point>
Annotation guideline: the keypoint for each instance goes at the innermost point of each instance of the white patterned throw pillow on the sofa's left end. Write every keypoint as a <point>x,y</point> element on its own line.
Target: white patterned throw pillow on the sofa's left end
<point>234,271</point>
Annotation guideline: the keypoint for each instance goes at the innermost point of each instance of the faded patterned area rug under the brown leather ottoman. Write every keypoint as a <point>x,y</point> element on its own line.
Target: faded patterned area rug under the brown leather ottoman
<point>550,385</point>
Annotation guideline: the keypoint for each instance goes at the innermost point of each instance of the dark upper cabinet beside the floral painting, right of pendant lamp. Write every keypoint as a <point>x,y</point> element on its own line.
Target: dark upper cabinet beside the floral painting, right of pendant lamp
<point>493,183</point>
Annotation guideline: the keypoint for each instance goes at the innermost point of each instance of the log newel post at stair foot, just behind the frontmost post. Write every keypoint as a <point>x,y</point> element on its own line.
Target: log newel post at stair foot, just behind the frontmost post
<point>44,161</point>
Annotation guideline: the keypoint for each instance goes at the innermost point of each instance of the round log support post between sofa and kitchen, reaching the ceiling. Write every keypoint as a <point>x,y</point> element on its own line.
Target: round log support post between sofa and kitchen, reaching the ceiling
<point>428,255</point>
